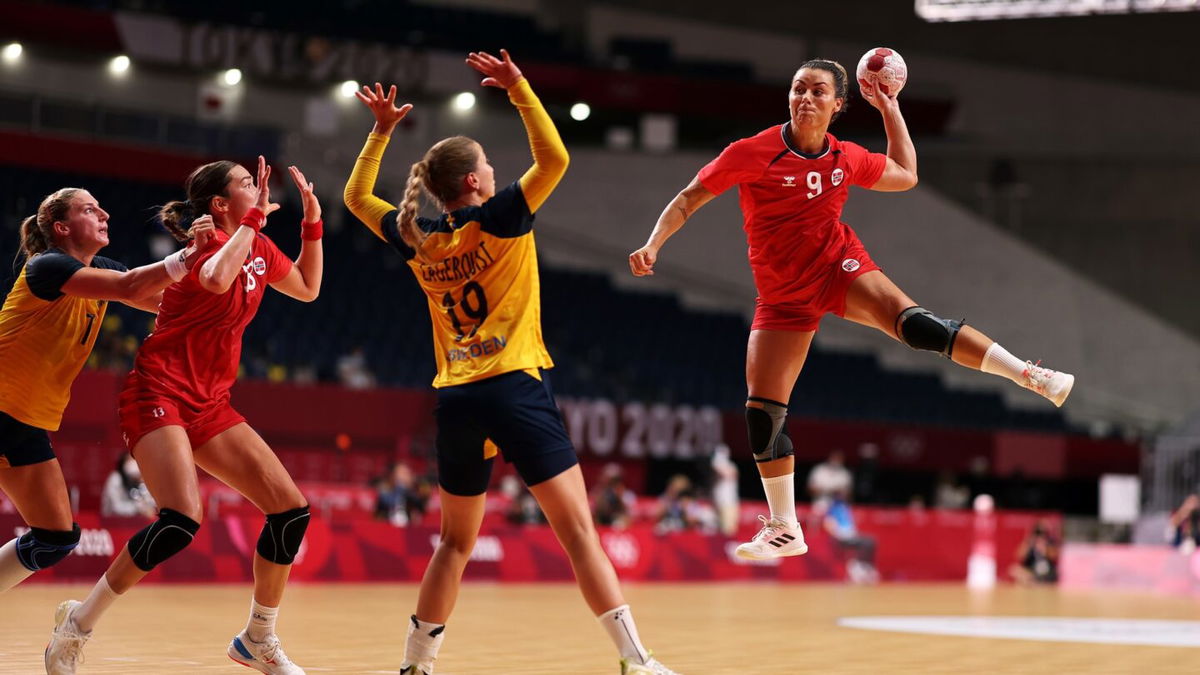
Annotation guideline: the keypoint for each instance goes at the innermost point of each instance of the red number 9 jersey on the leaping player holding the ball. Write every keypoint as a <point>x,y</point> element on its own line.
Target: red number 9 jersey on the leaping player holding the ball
<point>791,205</point>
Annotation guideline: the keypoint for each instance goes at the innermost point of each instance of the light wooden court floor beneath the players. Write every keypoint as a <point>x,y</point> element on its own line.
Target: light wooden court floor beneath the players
<point>697,629</point>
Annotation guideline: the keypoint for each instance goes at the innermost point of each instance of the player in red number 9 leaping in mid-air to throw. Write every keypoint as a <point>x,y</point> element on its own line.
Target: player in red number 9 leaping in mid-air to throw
<point>794,181</point>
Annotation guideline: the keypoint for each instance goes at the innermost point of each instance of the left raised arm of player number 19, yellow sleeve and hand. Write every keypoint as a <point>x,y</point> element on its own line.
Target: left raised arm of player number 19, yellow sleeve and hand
<point>359,189</point>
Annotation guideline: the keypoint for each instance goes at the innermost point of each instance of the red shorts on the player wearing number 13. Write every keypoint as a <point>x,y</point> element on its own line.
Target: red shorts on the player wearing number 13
<point>142,411</point>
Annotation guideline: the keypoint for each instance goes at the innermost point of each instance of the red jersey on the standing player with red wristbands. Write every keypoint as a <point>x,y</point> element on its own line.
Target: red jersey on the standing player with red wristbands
<point>194,353</point>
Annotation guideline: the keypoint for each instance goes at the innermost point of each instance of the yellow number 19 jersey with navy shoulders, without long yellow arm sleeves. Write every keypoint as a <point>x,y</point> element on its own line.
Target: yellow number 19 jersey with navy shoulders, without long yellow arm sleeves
<point>483,292</point>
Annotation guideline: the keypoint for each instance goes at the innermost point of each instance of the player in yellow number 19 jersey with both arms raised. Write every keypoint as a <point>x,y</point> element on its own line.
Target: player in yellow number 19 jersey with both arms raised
<point>478,267</point>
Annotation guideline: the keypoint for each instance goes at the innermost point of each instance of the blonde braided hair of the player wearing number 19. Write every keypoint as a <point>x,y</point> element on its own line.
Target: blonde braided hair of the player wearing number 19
<point>441,174</point>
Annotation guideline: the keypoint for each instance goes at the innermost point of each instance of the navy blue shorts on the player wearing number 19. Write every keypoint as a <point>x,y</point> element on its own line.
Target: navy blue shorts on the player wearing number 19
<point>514,411</point>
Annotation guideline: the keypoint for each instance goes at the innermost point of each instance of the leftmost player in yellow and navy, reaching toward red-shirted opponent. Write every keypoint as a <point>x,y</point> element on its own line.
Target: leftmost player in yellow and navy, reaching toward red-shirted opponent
<point>49,326</point>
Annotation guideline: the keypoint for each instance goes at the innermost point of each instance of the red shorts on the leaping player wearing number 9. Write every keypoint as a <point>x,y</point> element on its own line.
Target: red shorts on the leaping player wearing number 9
<point>805,315</point>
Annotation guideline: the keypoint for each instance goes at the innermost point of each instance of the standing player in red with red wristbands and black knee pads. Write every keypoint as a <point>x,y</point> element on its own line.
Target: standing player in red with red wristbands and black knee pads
<point>176,411</point>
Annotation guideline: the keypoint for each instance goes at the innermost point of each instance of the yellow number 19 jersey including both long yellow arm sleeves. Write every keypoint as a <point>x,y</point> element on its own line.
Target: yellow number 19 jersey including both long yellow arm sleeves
<point>479,265</point>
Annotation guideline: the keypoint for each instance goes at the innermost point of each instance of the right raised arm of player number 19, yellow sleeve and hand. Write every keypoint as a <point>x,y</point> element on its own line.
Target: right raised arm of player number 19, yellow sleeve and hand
<point>550,158</point>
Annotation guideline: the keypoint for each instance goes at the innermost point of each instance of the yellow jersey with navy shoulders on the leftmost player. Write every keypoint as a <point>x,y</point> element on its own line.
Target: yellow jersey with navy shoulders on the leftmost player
<point>46,338</point>
